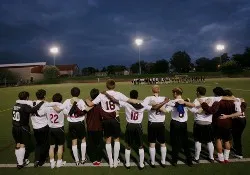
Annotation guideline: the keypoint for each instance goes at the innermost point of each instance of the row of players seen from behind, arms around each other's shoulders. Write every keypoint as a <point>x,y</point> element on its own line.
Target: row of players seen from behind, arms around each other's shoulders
<point>217,119</point>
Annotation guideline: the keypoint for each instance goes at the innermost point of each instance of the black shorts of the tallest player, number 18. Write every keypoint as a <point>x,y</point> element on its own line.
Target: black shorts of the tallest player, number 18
<point>112,128</point>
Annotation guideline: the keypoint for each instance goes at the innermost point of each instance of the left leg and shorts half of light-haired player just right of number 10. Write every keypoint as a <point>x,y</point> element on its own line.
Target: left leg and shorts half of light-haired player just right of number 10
<point>152,141</point>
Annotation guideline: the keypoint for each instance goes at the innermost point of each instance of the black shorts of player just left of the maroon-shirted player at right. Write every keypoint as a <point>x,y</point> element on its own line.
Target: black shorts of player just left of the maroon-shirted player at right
<point>203,133</point>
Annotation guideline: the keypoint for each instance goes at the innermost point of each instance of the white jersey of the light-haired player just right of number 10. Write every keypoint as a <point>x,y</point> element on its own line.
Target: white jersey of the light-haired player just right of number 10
<point>153,115</point>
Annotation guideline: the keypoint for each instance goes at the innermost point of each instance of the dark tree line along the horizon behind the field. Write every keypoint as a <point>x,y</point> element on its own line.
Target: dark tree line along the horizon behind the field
<point>181,62</point>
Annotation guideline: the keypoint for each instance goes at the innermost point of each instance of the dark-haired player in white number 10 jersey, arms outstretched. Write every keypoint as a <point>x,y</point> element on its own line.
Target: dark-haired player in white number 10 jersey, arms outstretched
<point>134,133</point>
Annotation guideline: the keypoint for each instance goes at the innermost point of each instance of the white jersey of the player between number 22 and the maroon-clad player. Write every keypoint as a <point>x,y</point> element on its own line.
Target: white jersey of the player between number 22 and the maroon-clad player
<point>68,105</point>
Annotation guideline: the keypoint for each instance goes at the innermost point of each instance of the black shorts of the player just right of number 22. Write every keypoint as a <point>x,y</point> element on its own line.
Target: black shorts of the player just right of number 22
<point>77,130</point>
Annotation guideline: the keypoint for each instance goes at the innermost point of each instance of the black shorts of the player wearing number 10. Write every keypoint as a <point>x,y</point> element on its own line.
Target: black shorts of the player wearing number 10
<point>134,134</point>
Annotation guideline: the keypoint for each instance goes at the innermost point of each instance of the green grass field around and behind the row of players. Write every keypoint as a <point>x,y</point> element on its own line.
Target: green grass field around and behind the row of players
<point>240,88</point>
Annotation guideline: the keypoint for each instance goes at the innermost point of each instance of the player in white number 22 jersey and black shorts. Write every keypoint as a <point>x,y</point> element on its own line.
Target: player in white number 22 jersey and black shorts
<point>56,134</point>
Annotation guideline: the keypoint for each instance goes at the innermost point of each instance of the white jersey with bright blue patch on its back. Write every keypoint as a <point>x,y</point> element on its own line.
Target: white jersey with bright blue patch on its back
<point>175,114</point>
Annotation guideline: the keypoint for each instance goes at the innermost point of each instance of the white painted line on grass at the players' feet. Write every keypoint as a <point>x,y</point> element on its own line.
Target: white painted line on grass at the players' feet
<point>107,165</point>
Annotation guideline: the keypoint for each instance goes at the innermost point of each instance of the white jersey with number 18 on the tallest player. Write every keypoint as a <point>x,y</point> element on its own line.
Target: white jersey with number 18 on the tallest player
<point>107,105</point>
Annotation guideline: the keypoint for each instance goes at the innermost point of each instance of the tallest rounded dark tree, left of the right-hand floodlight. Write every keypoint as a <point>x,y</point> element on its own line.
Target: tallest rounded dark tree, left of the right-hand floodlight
<point>181,61</point>
